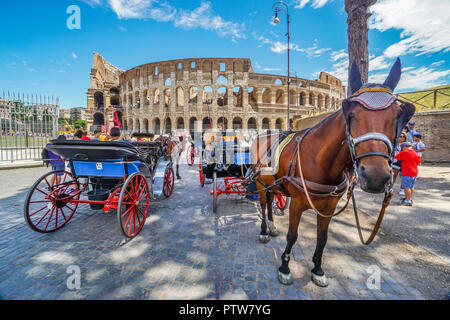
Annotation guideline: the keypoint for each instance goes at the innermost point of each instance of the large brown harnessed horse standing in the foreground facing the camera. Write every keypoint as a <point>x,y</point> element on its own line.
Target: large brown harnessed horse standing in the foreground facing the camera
<point>325,155</point>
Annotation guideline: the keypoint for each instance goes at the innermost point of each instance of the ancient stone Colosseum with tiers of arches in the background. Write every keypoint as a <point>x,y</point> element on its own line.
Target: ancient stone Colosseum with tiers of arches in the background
<point>160,97</point>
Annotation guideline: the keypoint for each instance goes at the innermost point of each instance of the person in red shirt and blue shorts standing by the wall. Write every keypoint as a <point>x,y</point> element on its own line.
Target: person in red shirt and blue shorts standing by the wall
<point>410,160</point>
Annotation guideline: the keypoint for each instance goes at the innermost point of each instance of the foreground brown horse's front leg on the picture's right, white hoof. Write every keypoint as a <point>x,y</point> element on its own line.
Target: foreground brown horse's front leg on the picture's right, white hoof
<point>317,274</point>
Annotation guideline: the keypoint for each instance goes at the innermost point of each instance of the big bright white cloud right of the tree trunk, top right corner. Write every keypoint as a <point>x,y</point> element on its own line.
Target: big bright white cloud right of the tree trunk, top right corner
<point>424,25</point>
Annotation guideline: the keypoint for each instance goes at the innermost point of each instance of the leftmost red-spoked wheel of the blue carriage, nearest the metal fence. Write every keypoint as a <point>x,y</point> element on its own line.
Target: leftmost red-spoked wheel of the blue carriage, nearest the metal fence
<point>48,204</point>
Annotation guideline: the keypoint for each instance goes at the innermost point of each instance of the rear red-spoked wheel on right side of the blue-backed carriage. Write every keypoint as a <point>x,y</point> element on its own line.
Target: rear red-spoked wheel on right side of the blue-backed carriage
<point>134,201</point>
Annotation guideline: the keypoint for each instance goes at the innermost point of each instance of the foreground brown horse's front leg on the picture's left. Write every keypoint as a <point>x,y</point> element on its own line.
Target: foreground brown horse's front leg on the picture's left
<point>295,214</point>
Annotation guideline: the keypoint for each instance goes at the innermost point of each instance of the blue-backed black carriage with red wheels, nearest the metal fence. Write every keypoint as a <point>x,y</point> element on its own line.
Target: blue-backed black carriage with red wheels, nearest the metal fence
<point>114,176</point>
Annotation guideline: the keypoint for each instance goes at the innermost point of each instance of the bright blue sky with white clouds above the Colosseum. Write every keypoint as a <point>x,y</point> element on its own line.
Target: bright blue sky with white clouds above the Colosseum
<point>40,55</point>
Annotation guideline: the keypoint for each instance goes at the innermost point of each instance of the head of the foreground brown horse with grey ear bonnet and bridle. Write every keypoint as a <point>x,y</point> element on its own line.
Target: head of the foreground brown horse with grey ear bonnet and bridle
<point>374,120</point>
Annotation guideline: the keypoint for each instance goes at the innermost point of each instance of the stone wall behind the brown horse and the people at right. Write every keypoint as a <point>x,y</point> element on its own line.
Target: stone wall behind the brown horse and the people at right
<point>434,126</point>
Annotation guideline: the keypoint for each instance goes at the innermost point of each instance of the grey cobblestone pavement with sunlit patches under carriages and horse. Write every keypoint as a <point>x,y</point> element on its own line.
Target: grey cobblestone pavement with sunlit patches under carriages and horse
<point>183,252</point>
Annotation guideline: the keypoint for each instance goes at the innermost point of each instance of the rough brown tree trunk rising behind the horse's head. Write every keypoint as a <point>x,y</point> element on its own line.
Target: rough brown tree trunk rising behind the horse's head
<point>358,35</point>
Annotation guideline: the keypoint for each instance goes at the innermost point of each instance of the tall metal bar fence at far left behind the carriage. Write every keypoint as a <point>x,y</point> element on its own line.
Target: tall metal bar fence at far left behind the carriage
<point>27,124</point>
